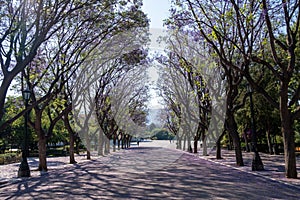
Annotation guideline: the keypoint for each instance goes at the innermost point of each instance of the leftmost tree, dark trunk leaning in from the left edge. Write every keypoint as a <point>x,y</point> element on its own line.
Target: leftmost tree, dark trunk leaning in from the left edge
<point>25,26</point>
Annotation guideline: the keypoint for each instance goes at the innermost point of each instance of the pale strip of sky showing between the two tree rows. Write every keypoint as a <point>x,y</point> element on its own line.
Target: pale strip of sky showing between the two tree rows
<point>157,11</point>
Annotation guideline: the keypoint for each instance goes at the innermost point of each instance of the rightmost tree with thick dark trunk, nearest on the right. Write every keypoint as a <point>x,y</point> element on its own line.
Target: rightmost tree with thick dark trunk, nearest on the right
<point>283,63</point>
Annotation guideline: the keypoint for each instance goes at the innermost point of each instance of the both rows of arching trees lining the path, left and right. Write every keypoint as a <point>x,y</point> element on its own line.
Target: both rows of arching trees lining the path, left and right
<point>85,65</point>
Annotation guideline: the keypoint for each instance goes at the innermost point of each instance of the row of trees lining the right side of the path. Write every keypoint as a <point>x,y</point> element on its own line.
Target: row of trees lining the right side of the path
<point>237,42</point>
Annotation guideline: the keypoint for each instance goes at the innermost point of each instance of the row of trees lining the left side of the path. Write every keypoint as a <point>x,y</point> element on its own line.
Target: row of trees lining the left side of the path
<point>74,57</point>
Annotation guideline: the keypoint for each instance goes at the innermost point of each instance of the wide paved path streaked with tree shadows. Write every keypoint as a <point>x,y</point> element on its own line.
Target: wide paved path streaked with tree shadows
<point>143,172</point>
